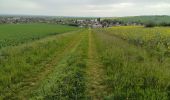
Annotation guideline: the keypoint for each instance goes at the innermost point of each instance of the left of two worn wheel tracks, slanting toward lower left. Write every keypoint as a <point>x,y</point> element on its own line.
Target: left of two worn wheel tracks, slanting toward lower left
<point>33,82</point>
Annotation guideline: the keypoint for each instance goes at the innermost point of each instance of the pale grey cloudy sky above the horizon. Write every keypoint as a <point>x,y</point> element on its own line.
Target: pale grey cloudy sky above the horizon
<point>103,8</point>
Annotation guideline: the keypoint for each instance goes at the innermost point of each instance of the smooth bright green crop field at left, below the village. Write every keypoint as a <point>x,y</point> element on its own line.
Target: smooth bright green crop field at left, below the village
<point>12,34</point>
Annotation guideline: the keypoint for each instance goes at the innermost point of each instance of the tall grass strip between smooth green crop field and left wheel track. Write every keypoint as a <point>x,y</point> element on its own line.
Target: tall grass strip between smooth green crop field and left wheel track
<point>25,61</point>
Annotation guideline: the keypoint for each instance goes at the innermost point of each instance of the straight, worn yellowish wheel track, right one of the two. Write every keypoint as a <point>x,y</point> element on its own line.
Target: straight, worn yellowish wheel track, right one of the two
<point>95,87</point>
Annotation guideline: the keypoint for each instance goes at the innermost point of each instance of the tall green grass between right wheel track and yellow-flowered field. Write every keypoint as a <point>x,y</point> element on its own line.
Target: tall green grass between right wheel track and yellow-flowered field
<point>131,72</point>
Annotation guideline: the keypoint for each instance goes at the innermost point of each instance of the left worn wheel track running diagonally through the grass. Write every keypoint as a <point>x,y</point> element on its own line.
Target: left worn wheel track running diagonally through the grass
<point>50,66</point>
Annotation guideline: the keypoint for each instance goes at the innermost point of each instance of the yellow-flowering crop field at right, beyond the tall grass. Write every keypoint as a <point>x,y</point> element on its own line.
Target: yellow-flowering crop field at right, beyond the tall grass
<point>155,40</point>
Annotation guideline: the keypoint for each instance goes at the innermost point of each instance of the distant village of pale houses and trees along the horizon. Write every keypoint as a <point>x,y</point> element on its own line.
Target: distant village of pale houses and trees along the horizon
<point>79,22</point>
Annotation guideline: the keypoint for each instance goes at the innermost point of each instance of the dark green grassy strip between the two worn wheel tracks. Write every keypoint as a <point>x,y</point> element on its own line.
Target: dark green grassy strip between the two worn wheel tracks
<point>67,81</point>
